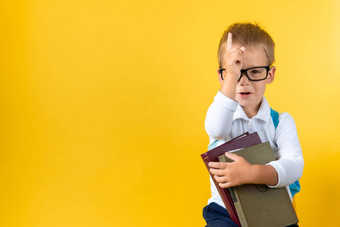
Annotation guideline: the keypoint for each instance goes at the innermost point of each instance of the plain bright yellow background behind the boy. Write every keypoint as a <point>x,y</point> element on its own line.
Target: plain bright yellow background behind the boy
<point>102,106</point>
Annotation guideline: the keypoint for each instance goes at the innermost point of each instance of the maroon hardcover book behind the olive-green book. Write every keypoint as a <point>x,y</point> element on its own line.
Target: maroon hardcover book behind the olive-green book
<point>243,141</point>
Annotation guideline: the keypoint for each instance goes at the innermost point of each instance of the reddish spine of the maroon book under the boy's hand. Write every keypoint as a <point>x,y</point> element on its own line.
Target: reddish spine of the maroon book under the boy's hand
<point>225,195</point>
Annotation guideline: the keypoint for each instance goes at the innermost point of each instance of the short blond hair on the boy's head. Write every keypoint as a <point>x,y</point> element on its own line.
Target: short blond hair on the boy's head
<point>248,34</point>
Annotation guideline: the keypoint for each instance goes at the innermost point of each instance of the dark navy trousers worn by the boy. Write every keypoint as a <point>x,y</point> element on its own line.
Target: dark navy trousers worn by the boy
<point>217,216</point>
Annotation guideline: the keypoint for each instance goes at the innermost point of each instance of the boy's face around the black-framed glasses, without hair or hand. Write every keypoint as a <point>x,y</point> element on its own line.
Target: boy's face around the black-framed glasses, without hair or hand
<point>249,93</point>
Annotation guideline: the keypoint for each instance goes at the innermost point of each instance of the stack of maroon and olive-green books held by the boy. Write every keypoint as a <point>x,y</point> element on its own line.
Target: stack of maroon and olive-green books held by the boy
<point>252,205</point>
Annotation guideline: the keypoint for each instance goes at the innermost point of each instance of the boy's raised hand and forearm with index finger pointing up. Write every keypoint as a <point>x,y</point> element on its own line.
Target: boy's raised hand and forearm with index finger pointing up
<point>233,60</point>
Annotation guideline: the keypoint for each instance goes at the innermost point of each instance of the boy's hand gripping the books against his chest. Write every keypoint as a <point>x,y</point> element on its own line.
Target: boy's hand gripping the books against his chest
<point>230,174</point>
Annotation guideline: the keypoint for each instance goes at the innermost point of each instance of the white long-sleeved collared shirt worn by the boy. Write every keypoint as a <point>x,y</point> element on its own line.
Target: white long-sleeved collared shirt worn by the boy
<point>226,120</point>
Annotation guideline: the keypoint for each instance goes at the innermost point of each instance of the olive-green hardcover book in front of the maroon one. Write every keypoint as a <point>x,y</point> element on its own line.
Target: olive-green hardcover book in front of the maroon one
<point>259,205</point>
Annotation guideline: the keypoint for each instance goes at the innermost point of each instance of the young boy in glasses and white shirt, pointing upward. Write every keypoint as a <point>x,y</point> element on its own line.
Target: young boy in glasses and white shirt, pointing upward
<point>246,55</point>
